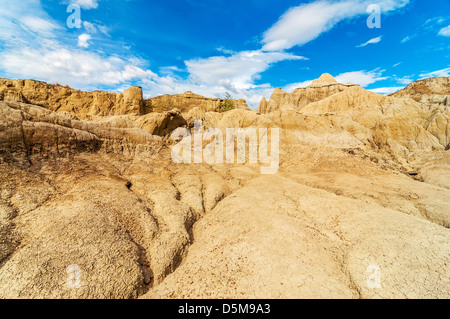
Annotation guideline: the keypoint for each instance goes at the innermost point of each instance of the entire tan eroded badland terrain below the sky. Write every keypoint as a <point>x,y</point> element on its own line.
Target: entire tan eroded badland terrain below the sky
<point>87,181</point>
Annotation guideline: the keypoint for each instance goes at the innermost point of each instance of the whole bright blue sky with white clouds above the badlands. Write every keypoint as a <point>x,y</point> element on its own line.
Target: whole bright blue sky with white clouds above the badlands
<point>245,47</point>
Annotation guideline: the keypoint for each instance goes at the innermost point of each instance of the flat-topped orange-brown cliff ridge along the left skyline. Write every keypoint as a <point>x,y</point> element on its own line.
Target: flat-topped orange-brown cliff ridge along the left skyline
<point>60,99</point>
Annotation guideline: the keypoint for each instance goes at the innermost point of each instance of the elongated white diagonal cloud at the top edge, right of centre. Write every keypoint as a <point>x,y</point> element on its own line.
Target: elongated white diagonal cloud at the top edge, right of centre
<point>304,23</point>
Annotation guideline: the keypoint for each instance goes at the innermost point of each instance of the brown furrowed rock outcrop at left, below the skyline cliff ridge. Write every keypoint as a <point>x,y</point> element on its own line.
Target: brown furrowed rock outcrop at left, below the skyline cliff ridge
<point>28,131</point>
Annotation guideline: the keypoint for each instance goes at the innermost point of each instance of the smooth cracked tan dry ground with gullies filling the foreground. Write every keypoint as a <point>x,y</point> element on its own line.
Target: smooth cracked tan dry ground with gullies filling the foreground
<point>138,225</point>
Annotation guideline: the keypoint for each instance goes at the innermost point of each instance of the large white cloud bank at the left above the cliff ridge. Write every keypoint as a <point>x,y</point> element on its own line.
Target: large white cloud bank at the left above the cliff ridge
<point>37,48</point>
